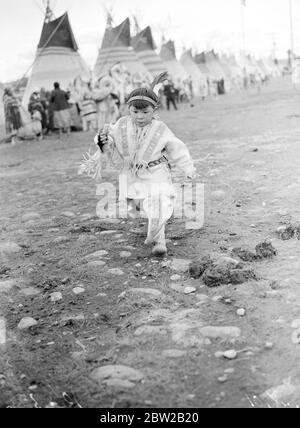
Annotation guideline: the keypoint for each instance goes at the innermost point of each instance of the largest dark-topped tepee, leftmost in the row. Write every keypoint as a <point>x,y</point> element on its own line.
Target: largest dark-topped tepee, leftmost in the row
<point>57,58</point>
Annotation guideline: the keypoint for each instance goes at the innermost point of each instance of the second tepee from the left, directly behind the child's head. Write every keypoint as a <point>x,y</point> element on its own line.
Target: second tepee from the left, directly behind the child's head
<point>116,48</point>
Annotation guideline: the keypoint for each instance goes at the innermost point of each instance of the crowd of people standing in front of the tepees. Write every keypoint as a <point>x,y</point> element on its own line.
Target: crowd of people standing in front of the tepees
<point>88,106</point>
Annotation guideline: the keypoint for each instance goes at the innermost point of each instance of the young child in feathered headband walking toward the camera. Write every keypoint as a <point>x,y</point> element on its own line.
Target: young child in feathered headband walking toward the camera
<point>146,145</point>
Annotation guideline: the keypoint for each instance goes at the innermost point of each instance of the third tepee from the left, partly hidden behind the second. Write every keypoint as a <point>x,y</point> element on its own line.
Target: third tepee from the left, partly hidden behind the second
<point>144,47</point>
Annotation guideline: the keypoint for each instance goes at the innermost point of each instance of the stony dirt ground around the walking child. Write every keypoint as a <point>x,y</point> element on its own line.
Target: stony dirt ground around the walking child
<point>250,144</point>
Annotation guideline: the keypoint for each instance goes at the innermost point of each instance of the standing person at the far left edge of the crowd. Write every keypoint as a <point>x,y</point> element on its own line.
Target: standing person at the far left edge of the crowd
<point>13,121</point>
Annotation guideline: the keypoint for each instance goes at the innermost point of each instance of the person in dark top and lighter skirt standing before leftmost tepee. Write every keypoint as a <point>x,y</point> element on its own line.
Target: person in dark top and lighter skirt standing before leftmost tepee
<point>62,116</point>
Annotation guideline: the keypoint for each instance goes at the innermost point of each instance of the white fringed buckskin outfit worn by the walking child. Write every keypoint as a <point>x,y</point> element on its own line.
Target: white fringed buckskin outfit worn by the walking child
<point>145,153</point>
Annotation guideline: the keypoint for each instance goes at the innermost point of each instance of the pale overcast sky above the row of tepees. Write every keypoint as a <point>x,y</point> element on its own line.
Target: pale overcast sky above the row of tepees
<point>201,24</point>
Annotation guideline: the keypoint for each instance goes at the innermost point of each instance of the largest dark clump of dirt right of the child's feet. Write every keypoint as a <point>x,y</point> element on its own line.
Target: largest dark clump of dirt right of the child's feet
<point>222,271</point>
